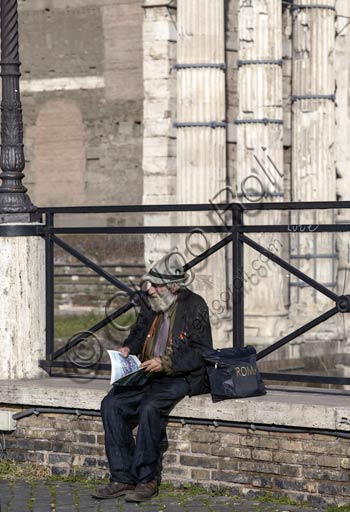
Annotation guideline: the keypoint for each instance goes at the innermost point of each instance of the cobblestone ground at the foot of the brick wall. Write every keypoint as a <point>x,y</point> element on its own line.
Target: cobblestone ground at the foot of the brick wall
<point>20,496</point>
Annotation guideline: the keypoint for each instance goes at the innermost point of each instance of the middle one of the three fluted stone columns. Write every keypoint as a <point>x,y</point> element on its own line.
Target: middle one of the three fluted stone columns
<point>260,158</point>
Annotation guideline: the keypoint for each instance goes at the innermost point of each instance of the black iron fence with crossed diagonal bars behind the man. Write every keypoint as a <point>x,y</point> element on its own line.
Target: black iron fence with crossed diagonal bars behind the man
<point>236,233</point>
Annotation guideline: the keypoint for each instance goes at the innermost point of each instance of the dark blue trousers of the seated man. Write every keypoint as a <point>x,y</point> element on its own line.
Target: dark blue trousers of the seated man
<point>121,409</point>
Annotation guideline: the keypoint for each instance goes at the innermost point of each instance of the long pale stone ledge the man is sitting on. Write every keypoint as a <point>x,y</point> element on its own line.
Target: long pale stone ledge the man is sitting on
<point>292,407</point>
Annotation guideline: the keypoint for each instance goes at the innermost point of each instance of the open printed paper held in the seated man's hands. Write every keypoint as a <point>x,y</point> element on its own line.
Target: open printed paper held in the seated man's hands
<point>125,370</point>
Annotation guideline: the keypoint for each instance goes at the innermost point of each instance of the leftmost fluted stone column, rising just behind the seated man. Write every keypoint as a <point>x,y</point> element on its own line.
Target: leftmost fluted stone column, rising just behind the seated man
<point>201,138</point>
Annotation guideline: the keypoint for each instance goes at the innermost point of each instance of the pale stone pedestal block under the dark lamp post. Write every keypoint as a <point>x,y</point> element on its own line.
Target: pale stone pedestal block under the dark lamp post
<point>22,306</point>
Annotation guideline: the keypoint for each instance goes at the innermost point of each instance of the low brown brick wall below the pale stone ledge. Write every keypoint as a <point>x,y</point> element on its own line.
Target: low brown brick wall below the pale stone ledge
<point>306,467</point>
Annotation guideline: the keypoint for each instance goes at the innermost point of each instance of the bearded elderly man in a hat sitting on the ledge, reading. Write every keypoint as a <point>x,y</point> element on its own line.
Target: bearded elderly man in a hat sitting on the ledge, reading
<point>171,333</point>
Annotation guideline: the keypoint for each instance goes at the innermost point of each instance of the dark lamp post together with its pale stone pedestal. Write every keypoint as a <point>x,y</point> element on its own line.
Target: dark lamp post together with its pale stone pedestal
<point>22,251</point>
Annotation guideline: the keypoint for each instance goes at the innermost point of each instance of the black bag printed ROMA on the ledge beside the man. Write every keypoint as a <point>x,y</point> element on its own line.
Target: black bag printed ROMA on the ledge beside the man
<point>233,373</point>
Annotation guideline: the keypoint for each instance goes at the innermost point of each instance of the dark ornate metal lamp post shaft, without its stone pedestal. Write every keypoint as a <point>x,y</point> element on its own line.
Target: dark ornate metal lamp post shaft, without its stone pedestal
<point>13,196</point>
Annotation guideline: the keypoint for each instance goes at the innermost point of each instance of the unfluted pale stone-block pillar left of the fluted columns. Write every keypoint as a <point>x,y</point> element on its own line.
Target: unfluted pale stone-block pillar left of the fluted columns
<point>159,167</point>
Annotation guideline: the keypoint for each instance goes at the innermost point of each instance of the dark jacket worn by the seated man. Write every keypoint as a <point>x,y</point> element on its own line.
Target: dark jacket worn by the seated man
<point>191,337</point>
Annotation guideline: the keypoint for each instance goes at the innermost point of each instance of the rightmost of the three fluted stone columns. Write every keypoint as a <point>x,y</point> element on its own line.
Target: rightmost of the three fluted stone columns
<point>313,161</point>
